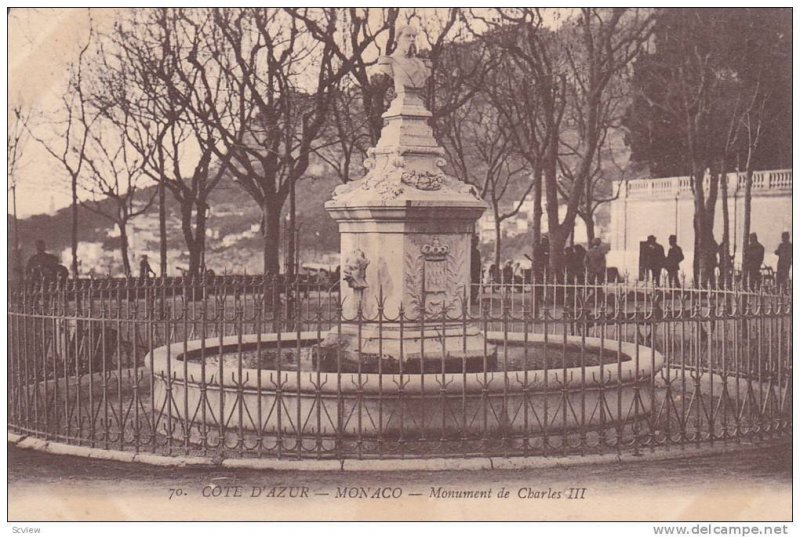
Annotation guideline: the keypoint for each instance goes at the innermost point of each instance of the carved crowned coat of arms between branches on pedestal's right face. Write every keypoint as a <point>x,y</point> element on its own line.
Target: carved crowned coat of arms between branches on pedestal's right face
<point>435,275</point>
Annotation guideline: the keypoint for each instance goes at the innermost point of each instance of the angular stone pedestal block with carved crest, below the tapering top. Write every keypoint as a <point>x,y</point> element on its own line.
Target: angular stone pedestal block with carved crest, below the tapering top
<point>417,254</point>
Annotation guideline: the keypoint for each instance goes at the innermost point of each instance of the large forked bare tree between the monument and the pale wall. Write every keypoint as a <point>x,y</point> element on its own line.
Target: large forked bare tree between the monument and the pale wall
<point>567,69</point>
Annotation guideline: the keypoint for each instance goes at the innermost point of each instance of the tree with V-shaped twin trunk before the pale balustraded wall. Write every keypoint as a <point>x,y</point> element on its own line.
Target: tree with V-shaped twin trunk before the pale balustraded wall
<point>688,76</point>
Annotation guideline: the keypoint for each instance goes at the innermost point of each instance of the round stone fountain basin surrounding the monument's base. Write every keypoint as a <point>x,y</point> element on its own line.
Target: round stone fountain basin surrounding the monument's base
<point>555,387</point>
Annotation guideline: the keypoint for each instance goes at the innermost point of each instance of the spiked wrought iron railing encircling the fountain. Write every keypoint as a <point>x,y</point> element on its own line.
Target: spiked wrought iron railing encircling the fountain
<point>257,368</point>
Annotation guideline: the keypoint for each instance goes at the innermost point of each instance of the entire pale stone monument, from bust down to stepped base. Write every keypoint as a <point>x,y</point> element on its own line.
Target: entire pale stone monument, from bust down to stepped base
<point>405,242</point>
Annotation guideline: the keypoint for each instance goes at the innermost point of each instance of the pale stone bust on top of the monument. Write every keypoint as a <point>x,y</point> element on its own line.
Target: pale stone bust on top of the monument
<point>409,72</point>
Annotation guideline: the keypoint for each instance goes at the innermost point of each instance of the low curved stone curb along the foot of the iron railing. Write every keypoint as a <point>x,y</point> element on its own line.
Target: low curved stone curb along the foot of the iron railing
<point>371,465</point>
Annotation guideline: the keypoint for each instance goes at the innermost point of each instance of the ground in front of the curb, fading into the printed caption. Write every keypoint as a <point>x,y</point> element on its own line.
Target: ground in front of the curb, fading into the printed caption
<point>754,485</point>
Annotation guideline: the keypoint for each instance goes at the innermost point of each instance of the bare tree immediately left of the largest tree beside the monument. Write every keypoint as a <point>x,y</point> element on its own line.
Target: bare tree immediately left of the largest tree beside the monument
<point>152,71</point>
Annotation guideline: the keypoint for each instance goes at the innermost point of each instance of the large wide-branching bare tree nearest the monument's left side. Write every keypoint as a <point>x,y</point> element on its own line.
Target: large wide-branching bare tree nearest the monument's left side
<point>281,69</point>
